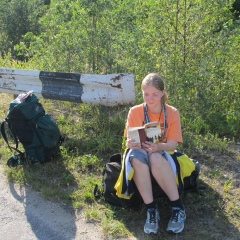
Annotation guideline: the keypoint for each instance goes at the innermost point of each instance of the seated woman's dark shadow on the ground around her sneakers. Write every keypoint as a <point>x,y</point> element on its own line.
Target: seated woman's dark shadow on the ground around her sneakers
<point>206,218</point>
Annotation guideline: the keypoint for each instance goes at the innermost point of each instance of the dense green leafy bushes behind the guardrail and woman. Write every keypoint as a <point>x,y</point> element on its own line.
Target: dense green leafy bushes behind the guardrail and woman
<point>194,44</point>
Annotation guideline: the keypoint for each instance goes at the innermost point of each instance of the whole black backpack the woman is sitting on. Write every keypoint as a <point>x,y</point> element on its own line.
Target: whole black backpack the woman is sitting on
<point>111,172</point>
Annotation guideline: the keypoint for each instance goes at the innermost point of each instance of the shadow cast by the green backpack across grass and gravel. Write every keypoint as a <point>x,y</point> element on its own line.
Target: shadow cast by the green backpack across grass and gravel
<point>49,220</point>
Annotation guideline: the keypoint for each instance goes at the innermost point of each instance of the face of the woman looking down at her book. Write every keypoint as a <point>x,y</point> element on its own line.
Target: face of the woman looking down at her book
<point>152,96</point>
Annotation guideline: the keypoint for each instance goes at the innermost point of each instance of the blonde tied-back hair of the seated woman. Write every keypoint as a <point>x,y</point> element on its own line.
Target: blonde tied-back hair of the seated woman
<point>155,80</point>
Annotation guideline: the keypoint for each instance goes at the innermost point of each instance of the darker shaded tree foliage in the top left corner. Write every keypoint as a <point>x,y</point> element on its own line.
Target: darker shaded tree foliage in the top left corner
<point>17,18</point>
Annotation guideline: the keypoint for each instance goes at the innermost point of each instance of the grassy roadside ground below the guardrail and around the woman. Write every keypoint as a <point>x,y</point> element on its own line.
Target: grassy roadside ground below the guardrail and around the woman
<point>92,135</point>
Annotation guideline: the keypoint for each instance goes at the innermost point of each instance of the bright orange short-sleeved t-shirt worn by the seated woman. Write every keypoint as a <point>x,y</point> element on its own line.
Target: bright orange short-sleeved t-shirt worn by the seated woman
<point>173,131</point>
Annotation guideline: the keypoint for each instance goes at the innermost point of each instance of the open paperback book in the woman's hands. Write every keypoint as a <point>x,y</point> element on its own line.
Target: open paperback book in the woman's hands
<point>150,132</point>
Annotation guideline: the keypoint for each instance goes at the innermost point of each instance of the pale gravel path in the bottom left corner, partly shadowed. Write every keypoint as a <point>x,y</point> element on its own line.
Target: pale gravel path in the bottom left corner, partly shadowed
<point>25,215</point>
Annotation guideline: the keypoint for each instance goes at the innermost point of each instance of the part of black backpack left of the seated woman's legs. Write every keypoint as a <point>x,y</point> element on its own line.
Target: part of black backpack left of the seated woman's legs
<point>110,175</point>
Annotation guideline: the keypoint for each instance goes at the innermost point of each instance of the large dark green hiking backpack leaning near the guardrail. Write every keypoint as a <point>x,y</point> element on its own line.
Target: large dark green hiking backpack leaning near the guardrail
<point>27,123</point>
